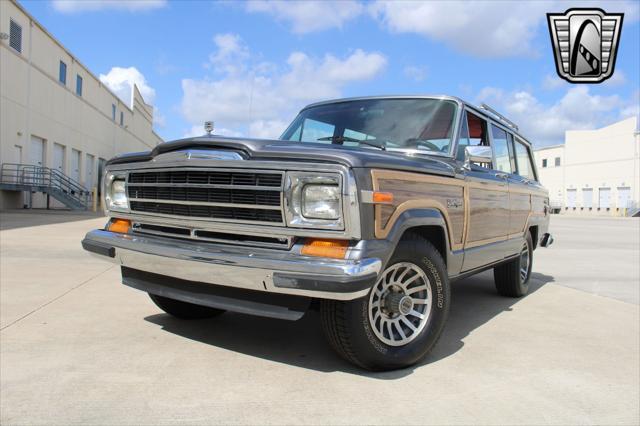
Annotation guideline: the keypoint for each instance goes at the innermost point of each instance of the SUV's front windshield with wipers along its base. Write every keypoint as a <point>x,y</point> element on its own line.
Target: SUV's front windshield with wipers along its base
<point>393,124</point>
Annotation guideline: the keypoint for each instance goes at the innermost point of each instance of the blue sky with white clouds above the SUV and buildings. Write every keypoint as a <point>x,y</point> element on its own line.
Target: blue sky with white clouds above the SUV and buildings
<point>251,66</point>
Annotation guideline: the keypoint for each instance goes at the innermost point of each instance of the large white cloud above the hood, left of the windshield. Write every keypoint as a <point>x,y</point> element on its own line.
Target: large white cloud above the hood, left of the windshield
<point>262,99</point>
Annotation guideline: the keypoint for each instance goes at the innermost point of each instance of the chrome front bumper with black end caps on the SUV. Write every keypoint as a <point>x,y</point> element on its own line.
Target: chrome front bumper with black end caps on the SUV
<point>266,270</point>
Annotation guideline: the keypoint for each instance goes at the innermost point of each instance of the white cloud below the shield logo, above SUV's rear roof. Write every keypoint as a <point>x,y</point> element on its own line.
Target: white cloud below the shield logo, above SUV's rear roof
<point>545,124</point>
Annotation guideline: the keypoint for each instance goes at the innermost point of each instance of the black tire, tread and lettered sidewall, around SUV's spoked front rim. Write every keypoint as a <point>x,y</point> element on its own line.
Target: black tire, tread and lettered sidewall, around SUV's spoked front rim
<point>349,330</point>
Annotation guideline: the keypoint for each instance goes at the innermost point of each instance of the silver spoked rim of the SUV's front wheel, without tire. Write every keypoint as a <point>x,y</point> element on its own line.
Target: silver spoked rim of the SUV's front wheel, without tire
<point>400,304</point>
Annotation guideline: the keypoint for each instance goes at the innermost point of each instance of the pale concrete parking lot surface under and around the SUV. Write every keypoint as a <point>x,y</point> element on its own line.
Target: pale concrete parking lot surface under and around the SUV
<point>77,347</point>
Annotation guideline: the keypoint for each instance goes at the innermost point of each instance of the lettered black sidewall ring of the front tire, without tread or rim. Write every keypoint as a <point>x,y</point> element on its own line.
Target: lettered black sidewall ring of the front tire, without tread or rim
<point>372,351</point>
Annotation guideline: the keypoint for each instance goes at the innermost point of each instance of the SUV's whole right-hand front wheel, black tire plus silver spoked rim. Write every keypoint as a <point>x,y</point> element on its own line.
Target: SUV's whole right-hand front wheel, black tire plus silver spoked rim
<point>401,319</point>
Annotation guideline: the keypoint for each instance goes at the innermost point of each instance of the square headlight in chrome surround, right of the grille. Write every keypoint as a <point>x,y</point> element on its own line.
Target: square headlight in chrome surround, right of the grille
<point>314,200</point>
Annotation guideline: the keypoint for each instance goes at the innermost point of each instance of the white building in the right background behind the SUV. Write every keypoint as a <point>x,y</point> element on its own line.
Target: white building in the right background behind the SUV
<point>595,171</point>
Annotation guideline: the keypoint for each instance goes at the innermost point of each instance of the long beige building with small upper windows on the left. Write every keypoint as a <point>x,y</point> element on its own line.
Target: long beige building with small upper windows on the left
<point>55,113</point>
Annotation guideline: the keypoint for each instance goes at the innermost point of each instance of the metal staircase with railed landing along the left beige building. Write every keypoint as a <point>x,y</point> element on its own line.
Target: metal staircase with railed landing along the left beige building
<point>30,178</point>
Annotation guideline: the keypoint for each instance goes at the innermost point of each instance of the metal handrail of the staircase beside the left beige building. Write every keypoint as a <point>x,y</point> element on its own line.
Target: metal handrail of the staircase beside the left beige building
<point>39,176</point>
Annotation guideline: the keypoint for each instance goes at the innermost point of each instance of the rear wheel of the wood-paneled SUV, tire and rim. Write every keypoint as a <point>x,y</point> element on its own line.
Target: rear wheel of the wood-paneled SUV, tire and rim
<point>510,282</point>
